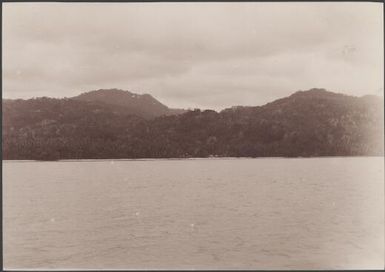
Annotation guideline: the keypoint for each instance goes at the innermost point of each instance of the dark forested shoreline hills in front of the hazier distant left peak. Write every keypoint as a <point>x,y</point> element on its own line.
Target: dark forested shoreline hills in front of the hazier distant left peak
<point>307,123</point>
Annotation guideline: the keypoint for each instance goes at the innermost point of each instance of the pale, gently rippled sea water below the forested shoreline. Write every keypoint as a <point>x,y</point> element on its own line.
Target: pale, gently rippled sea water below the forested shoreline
<point>195,214</point>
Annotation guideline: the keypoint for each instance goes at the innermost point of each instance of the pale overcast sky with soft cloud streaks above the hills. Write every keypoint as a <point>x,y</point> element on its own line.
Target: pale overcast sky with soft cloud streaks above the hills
<point>207,55</point>
